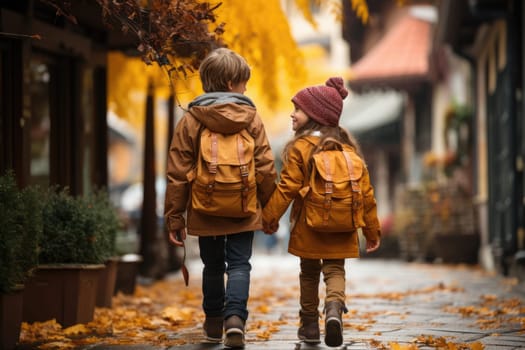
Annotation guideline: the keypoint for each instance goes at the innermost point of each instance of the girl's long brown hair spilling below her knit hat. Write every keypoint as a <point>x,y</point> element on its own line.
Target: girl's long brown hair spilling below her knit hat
<point>326,132</point>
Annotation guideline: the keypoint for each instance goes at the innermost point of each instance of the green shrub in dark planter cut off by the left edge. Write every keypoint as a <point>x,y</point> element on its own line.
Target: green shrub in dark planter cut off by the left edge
<point>20,228</point>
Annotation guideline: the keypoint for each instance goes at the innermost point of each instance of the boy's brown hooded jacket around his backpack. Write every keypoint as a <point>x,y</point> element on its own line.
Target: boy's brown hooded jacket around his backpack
<point>222,116</point>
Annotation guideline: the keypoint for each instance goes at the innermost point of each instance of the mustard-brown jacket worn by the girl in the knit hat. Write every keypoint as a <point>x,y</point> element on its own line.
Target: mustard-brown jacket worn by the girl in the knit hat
<point>304,242</point>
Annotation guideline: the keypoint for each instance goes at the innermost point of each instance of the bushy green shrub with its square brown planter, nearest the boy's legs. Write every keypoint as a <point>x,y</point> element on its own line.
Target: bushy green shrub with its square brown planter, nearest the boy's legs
<point>77,239</point>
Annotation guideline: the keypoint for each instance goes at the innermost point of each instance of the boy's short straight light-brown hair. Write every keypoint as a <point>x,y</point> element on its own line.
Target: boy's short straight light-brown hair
<point>220,67</point>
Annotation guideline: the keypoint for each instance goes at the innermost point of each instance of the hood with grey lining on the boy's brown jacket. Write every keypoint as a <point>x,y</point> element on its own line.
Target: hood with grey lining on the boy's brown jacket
<point>223,112</point>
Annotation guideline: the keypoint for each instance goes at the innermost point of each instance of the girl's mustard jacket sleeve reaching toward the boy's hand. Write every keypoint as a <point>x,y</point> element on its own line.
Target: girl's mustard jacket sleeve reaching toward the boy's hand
<point>290,183</point>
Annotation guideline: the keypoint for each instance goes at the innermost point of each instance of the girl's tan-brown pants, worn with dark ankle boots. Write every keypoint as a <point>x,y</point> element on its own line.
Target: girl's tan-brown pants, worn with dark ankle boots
<point>334,279</point>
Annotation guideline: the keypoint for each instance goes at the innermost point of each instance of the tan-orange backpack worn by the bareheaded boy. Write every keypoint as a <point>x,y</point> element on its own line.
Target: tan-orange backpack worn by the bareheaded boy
<point>224,181</point>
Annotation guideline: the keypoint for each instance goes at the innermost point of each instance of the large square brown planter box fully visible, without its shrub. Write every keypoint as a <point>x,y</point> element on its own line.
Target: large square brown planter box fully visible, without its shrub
<point>65,292</point>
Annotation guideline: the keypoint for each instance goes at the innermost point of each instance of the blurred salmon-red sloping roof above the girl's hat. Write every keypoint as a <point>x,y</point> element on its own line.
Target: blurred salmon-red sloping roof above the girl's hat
<point>400,57</point>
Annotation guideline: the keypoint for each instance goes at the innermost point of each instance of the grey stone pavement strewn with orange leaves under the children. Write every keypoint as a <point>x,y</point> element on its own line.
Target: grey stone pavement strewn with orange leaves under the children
<point>392,305</point>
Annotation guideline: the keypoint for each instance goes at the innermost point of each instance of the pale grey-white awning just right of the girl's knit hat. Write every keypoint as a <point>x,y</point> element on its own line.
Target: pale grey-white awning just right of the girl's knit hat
<point>371,111</point>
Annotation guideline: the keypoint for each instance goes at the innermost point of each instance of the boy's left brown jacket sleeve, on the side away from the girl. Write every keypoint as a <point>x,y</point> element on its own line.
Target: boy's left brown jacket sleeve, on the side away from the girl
<point>180,162</point>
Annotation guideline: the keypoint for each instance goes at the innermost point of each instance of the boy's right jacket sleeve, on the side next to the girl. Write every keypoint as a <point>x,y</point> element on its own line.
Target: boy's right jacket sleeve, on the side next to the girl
<point>265,172</point>
